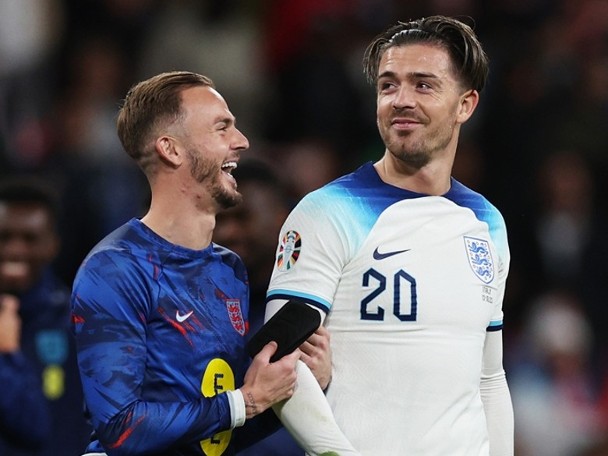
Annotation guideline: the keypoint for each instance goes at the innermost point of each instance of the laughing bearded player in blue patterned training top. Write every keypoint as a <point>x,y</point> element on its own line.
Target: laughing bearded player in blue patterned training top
<point>159,310</point>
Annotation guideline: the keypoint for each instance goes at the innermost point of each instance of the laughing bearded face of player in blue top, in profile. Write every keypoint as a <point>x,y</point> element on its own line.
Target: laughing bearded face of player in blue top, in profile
<point>212,143</point>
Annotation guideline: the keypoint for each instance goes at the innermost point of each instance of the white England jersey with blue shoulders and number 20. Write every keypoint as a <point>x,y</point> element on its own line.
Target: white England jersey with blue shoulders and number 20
<point>411,284</point>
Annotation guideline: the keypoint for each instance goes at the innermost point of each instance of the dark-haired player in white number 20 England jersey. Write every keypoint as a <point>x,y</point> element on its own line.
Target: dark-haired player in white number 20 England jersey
<point>407,266</point>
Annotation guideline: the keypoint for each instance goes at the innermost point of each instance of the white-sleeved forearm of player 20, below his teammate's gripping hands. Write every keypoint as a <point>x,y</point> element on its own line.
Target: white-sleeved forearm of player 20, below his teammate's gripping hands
<point>308,417</point>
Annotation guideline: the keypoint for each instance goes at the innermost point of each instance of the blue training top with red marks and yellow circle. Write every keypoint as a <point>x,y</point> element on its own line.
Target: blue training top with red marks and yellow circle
<point>160,333</point>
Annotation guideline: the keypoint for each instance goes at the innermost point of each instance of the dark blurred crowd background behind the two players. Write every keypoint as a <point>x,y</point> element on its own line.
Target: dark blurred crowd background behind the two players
<point>291,72</point>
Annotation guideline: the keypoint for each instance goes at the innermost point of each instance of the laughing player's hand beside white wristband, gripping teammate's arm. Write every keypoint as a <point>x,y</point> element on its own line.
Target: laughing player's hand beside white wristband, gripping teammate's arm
<point>267,383</point>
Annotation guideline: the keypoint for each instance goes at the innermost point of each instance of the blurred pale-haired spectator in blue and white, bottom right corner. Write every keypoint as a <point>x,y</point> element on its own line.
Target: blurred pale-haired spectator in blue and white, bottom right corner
<point>554,399</point>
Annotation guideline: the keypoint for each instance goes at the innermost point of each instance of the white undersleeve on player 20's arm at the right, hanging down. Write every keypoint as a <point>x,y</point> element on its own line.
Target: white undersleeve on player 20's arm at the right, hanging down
<point>497,398</point>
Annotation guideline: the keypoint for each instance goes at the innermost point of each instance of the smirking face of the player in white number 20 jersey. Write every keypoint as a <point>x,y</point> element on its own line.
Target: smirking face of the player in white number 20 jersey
<point>420,103</point>
